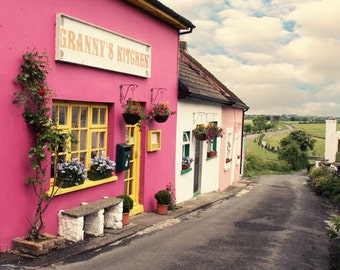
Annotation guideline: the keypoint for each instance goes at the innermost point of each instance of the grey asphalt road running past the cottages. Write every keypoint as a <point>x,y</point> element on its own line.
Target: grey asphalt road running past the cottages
<point>278,224</point>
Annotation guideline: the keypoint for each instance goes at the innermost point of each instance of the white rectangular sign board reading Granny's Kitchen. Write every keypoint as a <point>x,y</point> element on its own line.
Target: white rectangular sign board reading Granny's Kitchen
<point>86,44</point>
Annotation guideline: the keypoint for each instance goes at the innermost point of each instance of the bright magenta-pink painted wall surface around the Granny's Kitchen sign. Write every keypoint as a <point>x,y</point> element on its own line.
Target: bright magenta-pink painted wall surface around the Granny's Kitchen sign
<point>25,26</point>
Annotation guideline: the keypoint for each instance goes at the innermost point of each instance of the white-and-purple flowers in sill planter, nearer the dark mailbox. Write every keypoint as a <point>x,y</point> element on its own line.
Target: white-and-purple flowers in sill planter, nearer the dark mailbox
<point>101,168</point>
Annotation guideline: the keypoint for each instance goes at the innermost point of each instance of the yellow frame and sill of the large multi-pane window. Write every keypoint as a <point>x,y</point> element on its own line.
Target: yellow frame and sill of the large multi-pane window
<point>96,123</point>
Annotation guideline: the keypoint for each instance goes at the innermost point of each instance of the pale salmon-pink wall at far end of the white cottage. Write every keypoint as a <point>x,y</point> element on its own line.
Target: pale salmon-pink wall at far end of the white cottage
<point>231,118</point>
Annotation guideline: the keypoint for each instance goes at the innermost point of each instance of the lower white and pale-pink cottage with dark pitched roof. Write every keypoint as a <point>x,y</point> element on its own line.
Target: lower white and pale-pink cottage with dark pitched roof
<point>202,99</point>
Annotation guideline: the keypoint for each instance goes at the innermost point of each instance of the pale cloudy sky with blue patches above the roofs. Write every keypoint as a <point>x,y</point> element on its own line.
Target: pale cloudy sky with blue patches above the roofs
<point>278,56</point>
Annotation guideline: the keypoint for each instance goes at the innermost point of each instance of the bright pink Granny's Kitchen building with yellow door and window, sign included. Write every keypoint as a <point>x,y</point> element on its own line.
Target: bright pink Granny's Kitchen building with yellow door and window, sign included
<point>101,54</point>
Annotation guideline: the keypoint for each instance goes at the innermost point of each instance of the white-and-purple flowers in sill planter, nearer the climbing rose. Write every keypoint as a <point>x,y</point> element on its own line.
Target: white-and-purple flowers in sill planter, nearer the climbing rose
<point>71,173</point>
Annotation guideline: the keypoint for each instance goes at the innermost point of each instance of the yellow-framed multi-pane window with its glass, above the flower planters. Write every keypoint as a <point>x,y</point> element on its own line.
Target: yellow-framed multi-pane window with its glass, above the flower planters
<point>88,123</point>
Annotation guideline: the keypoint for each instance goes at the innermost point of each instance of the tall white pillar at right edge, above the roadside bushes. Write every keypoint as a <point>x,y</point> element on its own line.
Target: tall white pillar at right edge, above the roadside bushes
<point>332,140</point>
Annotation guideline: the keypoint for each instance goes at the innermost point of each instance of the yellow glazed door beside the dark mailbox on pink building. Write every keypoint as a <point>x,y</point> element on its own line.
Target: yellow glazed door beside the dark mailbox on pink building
<point>131,181</point>
